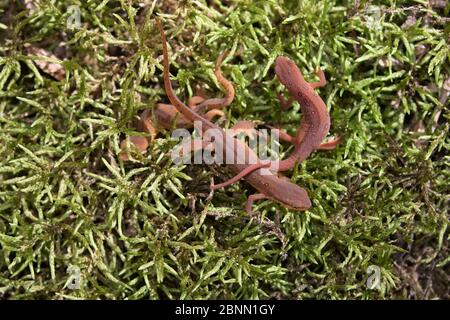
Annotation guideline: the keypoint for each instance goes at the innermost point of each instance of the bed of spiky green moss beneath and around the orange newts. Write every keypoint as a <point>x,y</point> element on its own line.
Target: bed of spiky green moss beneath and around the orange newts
<point>150,229</point>
